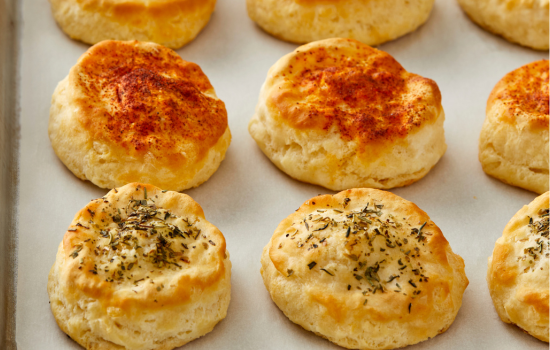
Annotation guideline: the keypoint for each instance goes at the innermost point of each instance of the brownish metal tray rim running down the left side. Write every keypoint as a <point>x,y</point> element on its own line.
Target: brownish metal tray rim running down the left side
<point>9,170</point>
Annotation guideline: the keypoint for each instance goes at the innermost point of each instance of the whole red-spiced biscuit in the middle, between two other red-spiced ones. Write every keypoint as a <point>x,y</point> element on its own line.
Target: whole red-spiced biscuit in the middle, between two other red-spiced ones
<point>340,114</point>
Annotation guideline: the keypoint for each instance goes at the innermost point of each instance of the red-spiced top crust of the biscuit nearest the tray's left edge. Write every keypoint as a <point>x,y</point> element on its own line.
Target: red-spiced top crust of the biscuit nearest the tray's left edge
<point>144,99</point>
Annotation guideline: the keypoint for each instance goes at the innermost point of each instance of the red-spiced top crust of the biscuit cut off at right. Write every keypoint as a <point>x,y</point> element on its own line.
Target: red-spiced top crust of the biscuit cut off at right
<point>524,94</point>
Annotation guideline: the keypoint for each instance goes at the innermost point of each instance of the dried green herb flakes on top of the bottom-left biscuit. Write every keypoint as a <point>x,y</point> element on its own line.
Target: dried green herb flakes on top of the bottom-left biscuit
<point>133,242</point>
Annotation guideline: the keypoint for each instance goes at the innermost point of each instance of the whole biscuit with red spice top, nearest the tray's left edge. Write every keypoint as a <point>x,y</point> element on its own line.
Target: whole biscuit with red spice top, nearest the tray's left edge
<point>136,112</point>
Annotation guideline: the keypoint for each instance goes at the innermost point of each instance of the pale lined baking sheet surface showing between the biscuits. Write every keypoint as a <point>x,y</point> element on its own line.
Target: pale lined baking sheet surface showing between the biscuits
<point>248,196</point>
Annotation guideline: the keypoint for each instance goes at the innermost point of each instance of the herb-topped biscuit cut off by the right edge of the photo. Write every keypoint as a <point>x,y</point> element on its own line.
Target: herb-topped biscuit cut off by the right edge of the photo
<point>518,270</point>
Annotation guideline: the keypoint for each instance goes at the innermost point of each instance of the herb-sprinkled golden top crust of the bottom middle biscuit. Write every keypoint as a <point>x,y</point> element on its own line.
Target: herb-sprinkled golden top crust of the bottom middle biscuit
<point>369,250</point>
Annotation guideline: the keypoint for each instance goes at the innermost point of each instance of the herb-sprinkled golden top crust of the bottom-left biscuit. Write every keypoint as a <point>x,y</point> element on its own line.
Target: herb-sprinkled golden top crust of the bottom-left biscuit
<point>140,247</point>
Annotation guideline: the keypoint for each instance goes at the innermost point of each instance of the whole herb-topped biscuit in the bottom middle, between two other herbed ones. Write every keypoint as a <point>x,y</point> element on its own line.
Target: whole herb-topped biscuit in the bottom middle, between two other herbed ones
<point>365,269</point>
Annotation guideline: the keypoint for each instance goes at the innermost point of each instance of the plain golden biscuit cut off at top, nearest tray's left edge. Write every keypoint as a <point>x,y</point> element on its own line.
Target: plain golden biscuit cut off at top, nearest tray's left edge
<point>172,23</point>
